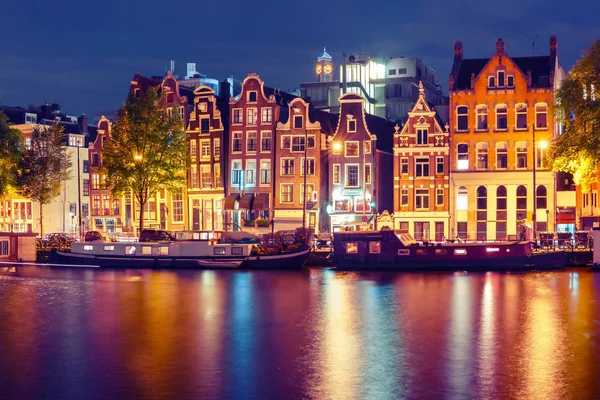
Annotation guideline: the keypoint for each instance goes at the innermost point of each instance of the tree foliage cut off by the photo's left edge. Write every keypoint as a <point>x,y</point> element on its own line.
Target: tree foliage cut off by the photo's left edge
<point>10,153</point>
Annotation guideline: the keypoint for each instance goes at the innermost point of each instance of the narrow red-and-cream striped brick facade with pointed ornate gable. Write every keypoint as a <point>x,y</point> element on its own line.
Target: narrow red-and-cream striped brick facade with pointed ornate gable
<point>421,173</point>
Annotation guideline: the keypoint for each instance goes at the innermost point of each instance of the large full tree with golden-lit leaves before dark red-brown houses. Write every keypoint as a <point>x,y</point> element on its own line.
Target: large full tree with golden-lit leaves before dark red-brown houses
<point>147,150</point>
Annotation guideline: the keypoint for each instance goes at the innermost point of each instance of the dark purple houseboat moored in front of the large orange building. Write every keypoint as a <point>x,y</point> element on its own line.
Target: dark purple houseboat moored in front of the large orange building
<point>393,250</point>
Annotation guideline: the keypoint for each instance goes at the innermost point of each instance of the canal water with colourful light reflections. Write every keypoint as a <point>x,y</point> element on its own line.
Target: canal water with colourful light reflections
<point>310,334</point>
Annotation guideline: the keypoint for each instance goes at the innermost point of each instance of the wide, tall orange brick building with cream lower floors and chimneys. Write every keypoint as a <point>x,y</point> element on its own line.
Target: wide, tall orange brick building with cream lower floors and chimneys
<point>500,126</point>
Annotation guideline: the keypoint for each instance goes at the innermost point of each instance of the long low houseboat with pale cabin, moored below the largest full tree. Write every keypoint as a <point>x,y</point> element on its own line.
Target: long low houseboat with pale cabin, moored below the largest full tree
<point>205,252</point>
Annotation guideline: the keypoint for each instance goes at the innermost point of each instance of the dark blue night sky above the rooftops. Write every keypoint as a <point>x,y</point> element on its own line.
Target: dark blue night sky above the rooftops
<point>83,54</point>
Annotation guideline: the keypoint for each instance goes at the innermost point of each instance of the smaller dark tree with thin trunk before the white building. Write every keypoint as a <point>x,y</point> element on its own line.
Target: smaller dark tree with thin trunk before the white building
<point>44,166</point>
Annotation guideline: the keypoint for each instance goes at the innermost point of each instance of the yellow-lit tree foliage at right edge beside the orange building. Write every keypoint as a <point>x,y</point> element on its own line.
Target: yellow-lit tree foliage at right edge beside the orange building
<point>577,106</point>
